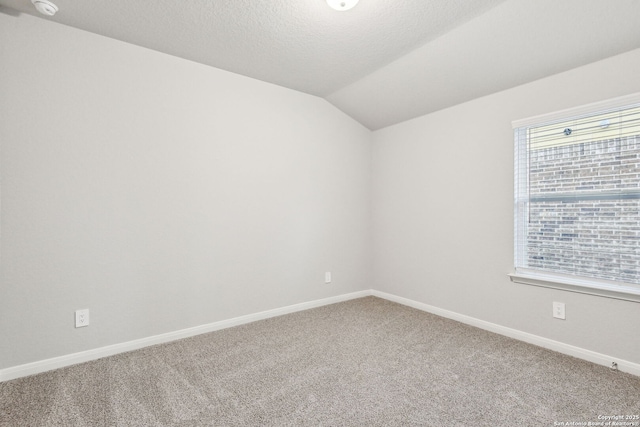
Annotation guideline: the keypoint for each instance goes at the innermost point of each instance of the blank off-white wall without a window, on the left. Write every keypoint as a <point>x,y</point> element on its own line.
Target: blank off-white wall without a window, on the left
<point>163,194</point>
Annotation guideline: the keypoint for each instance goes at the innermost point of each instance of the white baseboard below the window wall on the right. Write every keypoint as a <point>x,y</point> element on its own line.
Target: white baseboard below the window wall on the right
<point>560,347</point>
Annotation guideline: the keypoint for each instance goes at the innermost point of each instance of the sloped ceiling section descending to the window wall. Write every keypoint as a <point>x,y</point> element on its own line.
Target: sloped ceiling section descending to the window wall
<point>515,43</point>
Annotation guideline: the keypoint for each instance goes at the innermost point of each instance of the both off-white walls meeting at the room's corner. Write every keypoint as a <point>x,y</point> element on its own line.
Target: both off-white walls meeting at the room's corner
<point>164,194</point>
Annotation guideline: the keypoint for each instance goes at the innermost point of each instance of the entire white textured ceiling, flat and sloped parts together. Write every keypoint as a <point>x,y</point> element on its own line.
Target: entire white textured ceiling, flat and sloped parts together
<point>383,61</point>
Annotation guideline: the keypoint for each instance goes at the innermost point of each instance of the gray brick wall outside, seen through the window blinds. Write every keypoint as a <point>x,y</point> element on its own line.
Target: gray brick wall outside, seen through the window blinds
<point>585,236</point>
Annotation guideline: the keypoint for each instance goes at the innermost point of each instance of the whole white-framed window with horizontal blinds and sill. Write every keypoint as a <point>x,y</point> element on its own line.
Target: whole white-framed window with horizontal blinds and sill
<point>577,199</point>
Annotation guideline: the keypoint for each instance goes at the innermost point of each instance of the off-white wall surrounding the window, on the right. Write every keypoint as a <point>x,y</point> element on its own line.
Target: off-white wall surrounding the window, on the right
<point>443,212</point>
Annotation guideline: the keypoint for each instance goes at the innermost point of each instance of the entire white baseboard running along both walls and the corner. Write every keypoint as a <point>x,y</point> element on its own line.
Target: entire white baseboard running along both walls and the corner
<point>85,356</point>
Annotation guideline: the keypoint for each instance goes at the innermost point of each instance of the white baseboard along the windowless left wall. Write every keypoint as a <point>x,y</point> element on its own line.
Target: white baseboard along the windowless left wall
<point>86,356</point>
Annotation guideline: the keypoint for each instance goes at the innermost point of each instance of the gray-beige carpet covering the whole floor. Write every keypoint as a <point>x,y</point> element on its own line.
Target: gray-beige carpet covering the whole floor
<point>366,362</point>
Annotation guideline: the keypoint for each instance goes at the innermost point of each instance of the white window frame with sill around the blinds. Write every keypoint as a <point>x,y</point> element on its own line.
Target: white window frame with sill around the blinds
<point>566,282</point>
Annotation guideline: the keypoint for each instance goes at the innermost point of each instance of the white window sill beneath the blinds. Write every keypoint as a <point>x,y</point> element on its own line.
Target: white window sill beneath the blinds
<point>622,292</point>
